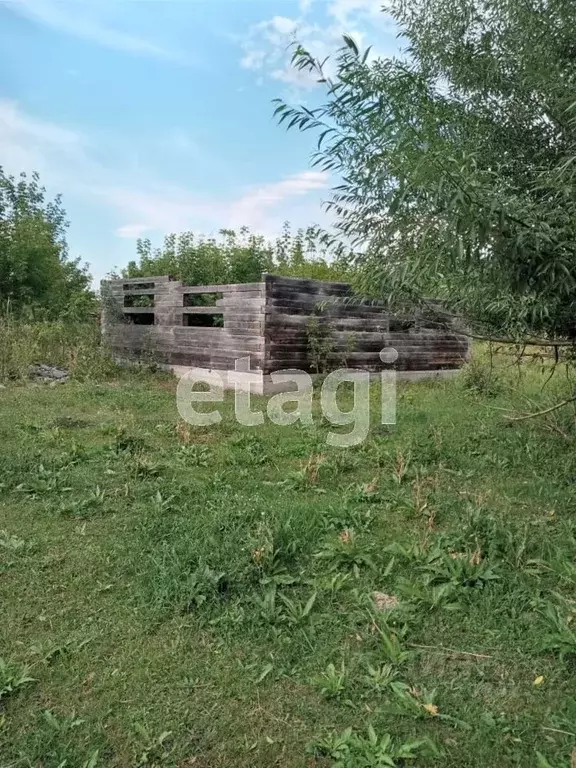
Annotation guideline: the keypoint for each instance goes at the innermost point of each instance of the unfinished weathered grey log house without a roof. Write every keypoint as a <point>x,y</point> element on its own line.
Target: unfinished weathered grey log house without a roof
<point>279,323</point>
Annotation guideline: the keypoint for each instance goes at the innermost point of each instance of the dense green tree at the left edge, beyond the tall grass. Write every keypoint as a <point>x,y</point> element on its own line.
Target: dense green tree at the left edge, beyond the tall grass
<point>36,276</point>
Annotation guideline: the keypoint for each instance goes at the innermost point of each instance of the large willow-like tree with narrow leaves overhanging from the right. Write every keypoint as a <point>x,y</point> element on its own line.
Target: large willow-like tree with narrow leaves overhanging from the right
<point>458,159</point>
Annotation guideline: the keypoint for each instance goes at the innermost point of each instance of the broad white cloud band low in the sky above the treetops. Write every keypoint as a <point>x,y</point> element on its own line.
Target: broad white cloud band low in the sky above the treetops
<point>66,162</point>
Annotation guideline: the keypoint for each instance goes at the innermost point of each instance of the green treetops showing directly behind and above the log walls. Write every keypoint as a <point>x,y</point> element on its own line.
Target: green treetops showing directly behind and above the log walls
<point>239,257</point>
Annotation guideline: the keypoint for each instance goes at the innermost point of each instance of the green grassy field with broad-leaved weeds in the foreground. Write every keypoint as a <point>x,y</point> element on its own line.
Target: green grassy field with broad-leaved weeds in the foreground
<point>205,597</point>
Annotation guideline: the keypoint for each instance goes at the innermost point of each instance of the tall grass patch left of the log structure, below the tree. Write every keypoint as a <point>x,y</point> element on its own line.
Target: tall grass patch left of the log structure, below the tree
<point>73,346</point>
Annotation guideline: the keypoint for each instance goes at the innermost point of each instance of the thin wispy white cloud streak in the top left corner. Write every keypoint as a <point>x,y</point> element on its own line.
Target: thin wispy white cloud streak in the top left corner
<point>81,19</point>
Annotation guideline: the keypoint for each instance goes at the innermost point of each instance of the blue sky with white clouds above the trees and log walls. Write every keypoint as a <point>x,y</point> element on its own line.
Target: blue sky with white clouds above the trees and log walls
<point>155,116</point>
